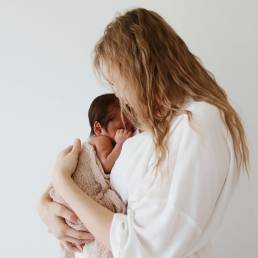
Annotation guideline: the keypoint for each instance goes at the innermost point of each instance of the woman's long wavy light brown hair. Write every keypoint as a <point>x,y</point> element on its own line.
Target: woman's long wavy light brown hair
<point>162,73</point>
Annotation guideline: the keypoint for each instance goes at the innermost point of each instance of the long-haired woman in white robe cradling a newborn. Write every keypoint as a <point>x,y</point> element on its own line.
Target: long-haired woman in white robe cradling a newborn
<point>178,175</point>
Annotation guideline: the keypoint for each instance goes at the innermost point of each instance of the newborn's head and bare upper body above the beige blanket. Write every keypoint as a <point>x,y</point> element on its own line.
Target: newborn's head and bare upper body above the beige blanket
<point>108,131</point>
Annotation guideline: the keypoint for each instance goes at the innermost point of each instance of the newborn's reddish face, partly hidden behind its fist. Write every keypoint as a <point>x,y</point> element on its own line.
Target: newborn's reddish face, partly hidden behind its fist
<point>117,124</point>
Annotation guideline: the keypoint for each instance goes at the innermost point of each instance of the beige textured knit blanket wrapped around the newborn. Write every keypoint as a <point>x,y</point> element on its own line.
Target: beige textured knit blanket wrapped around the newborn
<point>91,178</point>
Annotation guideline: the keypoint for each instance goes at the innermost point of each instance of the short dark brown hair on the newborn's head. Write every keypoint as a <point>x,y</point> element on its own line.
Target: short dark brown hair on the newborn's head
<point>103,109</point>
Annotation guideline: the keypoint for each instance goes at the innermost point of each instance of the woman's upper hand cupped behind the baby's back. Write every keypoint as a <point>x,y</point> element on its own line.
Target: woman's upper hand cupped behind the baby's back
<point>66,163</point>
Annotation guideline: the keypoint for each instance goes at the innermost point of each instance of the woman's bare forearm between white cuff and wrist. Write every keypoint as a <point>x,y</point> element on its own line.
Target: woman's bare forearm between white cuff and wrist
<point>95,217</point>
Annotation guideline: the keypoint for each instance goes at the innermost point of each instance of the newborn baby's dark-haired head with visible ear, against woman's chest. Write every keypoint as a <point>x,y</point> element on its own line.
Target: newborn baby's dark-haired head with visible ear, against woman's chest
<point>105,116</point>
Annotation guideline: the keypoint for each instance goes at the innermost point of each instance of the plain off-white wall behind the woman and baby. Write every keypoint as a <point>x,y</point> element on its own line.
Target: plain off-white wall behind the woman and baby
<point>47,84</point>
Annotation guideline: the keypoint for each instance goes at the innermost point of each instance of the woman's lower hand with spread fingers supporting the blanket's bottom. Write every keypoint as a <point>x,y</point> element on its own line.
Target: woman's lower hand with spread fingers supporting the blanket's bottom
<point>53,215</point>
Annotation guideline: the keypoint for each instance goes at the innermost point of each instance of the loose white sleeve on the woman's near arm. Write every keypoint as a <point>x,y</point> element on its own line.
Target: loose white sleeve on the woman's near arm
<point>173,227</point>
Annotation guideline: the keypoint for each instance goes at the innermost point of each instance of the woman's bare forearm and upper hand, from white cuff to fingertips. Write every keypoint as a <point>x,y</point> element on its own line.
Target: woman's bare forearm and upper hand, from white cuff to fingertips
<point>95,217</point>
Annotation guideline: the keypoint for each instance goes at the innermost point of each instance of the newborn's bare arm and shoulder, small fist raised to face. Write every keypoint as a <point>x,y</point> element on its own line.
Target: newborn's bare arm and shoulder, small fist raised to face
<point>106,152</point>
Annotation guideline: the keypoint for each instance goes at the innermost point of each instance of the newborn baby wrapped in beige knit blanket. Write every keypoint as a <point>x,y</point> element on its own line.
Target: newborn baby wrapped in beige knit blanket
<point>96,160</point>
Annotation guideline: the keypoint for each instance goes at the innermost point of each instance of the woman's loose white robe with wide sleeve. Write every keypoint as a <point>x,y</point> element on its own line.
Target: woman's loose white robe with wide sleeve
<point>178,214</point>
